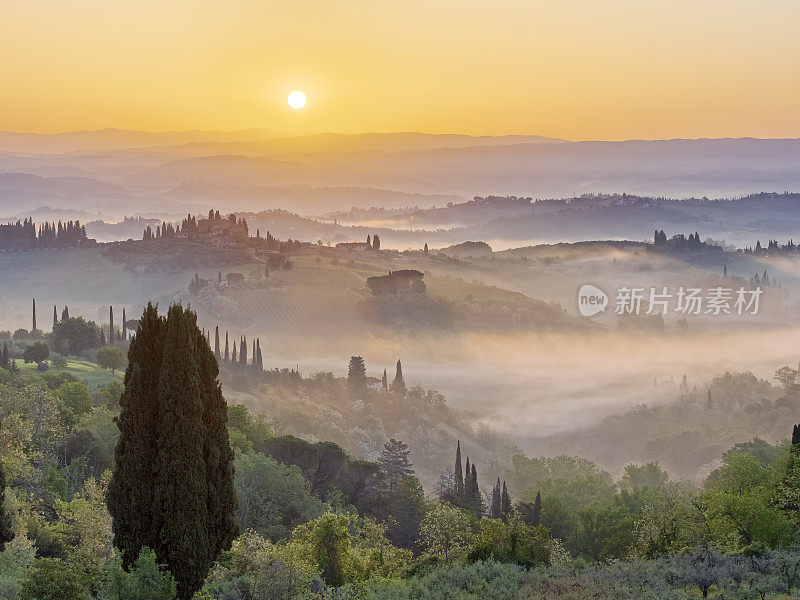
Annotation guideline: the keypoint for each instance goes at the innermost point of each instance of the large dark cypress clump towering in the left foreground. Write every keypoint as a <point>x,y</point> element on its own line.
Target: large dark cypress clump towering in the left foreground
<point>172,488</point>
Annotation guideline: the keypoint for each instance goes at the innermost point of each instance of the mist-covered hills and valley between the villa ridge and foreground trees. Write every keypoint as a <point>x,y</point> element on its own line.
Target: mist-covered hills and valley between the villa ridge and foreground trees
<point>557,373</point>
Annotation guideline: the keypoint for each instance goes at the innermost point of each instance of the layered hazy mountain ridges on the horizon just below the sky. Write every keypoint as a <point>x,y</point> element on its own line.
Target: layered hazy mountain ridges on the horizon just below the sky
<point>175,172</point>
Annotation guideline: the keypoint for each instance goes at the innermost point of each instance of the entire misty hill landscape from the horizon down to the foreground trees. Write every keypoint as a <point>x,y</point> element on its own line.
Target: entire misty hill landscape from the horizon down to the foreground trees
<point>498,331</point>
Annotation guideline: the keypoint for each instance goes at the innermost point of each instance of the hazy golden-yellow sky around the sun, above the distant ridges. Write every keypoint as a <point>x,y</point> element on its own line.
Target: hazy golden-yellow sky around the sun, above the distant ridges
<point>580,69</point>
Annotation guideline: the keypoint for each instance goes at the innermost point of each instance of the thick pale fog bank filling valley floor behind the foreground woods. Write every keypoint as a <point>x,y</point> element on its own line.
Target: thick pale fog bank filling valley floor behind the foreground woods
<point>533,386</point>
